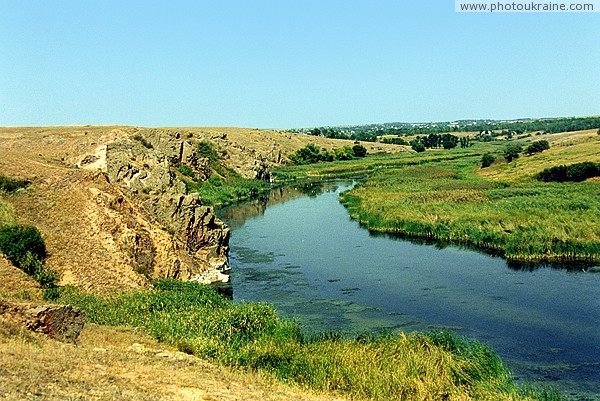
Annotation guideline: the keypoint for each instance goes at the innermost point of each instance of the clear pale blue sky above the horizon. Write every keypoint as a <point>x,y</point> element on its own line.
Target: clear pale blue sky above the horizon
<point>275,64</point>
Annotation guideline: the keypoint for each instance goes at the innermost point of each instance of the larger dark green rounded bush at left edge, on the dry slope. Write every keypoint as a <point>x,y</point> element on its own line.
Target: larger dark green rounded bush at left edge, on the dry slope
<point>17,241</point>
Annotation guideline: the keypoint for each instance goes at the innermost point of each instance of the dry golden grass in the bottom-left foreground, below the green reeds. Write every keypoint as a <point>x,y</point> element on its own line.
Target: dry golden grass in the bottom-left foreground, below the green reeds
<point>120,364</point>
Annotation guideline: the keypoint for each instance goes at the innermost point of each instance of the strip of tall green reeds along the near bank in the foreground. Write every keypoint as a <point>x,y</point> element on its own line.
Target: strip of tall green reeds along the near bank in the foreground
<point>197,320</point>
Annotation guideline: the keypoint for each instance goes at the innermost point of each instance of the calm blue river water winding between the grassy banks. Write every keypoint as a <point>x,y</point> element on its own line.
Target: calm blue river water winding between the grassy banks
<point>299,250</point>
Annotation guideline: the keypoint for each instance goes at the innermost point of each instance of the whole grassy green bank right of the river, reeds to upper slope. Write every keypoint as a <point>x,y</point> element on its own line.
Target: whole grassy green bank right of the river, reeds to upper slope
<point>448,196</point>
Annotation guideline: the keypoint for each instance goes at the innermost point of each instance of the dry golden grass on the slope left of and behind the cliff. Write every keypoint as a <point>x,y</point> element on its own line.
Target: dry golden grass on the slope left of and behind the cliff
<point>63,202</point>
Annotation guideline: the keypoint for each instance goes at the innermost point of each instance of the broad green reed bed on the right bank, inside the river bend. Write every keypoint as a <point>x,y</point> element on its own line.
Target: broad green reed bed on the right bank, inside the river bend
<point>448,201</point>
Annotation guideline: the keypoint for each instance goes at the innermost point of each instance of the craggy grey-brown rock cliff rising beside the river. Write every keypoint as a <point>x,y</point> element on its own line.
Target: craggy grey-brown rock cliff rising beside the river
<point>167,232</point>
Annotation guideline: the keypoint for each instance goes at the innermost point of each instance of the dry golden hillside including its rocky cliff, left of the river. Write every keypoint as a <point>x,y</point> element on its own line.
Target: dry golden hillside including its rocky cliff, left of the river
<point>112,207</point>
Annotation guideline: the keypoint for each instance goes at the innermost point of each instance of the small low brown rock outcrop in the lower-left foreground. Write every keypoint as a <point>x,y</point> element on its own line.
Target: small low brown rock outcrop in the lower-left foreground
<point>60,322</point>
